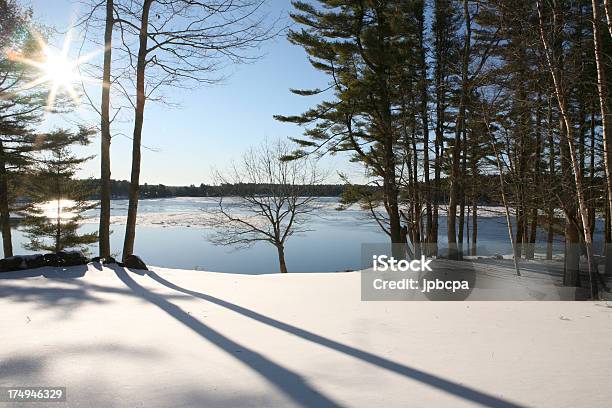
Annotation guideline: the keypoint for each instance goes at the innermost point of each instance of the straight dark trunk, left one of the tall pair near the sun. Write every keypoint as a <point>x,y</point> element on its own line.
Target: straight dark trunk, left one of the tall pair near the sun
<point>105,171</point>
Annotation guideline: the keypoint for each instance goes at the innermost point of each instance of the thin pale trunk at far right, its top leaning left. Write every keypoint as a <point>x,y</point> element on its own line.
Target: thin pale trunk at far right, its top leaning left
<point>582,208</point>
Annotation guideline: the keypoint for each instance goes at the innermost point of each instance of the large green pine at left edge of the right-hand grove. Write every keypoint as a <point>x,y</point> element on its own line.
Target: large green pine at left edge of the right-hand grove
<point>369,52</point>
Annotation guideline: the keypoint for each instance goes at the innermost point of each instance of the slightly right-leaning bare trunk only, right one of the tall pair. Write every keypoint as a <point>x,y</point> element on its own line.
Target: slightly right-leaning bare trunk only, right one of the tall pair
<point>130,228</point>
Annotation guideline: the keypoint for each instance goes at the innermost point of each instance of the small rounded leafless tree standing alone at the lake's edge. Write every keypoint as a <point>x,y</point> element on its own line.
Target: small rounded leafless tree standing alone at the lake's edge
<point>274,200</point>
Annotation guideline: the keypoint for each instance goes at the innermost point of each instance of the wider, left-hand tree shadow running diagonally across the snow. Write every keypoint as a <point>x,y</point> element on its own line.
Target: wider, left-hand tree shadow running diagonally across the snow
<point>286,381</point>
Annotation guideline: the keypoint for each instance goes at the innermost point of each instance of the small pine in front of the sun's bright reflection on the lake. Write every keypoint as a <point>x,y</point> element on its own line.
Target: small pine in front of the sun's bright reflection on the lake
<point>52,223</point>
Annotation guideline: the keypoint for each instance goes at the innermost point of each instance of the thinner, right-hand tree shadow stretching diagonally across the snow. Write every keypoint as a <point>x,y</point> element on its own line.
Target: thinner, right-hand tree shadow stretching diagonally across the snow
<point>432,380</point>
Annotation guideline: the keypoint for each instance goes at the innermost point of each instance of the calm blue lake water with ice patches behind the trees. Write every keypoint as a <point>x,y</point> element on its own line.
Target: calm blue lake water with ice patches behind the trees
<point>171,233</point>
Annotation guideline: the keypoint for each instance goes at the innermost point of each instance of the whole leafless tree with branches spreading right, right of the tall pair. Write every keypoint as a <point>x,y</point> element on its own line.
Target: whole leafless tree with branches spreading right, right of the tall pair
<point>175,43</point>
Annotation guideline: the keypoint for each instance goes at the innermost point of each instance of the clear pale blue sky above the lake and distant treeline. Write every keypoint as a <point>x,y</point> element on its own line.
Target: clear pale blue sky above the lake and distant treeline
<point>212,125</point>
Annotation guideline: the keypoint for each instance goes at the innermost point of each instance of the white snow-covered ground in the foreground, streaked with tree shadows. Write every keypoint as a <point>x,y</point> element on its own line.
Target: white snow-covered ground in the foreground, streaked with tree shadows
<point>176,338</point>
